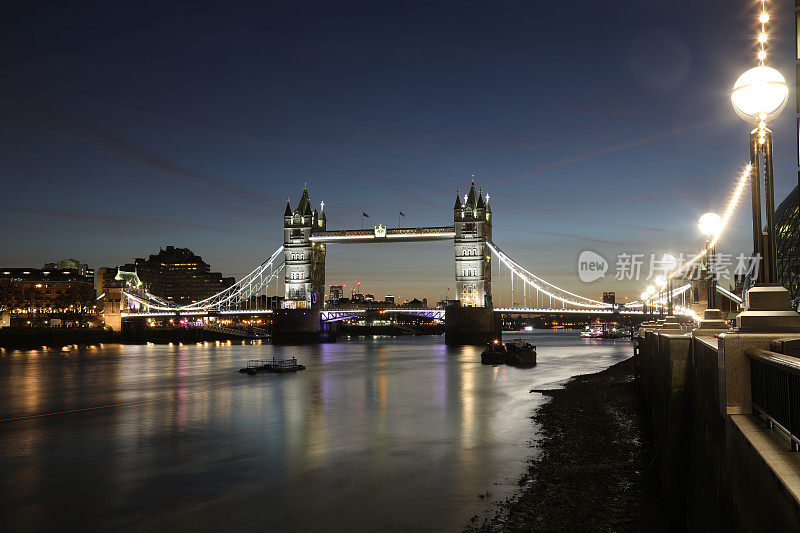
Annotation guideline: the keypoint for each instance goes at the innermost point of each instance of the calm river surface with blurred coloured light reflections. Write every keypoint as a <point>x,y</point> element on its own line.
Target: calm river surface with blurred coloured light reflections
<point>389,434</point>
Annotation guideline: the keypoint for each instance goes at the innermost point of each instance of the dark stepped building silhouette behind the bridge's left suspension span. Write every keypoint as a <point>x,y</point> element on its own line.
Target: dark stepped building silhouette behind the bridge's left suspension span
<point>178,275</point>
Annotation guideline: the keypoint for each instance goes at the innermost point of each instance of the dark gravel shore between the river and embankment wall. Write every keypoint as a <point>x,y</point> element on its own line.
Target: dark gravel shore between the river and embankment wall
<point>596,471</point>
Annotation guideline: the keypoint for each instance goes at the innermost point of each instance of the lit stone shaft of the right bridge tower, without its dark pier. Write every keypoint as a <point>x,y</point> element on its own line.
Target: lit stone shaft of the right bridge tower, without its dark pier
<point>473,227</point>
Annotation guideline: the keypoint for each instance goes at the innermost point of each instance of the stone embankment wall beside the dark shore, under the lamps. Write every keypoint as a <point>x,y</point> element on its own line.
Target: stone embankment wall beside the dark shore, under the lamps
<point>716,476</point>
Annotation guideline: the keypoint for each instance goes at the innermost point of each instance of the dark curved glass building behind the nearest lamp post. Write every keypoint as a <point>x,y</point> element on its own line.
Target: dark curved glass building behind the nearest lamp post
<point>787,244</point>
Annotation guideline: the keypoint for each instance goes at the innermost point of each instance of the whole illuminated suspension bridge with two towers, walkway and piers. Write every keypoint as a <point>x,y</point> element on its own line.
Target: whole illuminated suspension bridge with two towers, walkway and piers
<point>302,261</point>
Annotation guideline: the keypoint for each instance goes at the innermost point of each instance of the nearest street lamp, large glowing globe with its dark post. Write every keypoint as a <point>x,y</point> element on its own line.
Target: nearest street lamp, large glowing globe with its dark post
<point>759,95</point>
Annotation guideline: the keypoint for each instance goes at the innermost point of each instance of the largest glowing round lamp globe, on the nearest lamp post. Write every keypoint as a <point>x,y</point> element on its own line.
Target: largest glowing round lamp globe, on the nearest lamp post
<point>759,94</point>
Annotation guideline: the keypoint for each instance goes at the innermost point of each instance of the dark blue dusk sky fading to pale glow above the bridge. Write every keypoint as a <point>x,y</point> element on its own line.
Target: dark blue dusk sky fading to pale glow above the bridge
<point>593,125</point>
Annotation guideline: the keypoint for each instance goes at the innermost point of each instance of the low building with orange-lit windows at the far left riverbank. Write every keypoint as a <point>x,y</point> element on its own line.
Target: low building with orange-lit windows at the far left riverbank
<point>34,291</point>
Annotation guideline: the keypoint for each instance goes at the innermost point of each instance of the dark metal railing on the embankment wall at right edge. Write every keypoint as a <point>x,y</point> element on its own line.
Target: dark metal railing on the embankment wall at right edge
<point>775,390</point>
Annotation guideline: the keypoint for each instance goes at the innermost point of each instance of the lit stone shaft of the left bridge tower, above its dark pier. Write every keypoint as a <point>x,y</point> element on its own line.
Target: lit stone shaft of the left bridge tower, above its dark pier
<point>304,274</point>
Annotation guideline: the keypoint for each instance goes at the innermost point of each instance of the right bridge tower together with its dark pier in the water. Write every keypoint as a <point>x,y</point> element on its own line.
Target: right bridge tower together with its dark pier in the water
<point>473,321</point>
